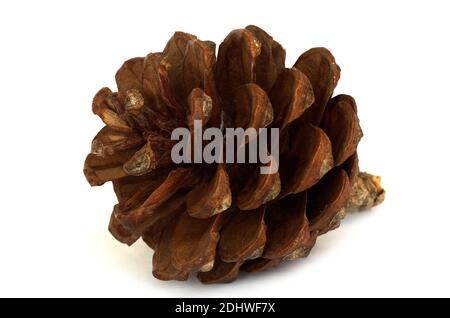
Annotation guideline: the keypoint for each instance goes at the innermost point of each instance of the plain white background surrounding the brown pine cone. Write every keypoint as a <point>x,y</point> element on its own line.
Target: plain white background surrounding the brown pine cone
<point>54,56</point>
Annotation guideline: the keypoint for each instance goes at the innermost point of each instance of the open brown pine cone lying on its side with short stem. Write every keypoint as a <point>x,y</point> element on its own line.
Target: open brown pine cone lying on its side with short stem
<point>218,218</point>
